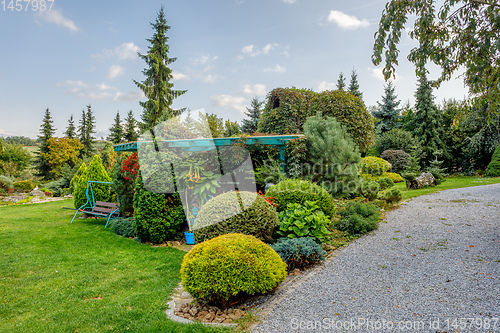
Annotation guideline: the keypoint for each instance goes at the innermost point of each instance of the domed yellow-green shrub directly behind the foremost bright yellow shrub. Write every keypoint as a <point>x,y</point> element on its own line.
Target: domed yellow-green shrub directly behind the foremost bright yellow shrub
<point>236,212</point>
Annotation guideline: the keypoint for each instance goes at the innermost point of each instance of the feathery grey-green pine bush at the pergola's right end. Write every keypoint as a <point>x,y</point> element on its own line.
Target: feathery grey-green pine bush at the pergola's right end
<point>333,157</point>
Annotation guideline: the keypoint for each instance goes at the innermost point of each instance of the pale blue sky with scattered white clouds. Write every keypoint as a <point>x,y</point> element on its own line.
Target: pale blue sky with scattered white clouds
<point>76,53</point>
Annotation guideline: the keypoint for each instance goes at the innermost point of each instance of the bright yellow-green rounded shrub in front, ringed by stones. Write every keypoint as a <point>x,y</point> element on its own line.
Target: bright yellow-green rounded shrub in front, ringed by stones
<point>230,267</point>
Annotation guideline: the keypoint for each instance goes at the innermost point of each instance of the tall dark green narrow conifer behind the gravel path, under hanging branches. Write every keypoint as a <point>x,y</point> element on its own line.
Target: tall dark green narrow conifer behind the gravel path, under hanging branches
<point>426,122</point>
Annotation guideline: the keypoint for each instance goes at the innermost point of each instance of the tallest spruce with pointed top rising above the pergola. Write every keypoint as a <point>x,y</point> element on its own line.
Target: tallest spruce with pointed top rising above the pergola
<point>158,86</point>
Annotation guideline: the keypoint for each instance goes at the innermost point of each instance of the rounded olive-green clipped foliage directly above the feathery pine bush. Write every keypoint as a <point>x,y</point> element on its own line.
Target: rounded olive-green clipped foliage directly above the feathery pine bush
<point>350,112</point>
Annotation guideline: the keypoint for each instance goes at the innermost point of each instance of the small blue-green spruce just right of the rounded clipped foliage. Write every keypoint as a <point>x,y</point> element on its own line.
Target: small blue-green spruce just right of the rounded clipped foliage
<point>388,112</point>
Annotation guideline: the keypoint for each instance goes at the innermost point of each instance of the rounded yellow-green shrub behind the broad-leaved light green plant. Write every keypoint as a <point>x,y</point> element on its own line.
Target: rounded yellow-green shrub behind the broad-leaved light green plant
<point>299,191</point>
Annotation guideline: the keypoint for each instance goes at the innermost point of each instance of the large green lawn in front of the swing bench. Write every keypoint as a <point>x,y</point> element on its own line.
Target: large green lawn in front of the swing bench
<point>62,277</point>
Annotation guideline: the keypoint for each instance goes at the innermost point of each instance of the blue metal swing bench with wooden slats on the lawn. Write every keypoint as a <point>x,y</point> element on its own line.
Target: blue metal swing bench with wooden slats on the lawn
<point>98,209</point>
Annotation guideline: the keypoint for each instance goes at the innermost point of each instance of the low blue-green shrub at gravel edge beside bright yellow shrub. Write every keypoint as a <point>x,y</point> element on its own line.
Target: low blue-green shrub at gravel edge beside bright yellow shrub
<point>299,252</point>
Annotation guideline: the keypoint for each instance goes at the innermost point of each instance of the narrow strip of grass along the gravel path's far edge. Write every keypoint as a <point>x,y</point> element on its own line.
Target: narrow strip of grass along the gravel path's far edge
<point>451,182</point>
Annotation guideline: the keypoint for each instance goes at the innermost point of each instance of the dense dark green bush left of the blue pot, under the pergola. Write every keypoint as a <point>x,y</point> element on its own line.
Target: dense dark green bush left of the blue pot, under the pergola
<point>158,217</point>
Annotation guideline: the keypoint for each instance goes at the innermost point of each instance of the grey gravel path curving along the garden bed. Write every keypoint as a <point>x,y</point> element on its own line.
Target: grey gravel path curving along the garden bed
<point>435,261</point>
